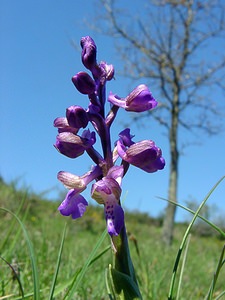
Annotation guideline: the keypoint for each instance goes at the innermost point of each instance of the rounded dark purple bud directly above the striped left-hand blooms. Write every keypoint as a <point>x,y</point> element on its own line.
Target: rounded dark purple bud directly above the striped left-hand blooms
<point>77,117</point>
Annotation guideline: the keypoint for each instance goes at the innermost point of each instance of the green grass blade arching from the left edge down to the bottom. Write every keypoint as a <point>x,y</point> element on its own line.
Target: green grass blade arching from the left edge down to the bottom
<point>31,253</point>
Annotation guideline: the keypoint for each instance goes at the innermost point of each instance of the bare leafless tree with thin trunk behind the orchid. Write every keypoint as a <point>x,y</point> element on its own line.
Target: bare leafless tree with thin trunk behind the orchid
<point>178,46</point>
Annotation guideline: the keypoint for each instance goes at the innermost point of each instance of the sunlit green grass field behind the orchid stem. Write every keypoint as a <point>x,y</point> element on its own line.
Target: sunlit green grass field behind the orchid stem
<point>37,253</point>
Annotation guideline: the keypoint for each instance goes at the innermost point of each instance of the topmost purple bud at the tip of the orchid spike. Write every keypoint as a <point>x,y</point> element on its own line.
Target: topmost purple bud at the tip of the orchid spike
<point>89,51</point>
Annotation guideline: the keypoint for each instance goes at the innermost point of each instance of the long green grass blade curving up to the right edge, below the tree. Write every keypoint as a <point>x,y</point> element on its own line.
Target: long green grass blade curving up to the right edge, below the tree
<point>172,283</point>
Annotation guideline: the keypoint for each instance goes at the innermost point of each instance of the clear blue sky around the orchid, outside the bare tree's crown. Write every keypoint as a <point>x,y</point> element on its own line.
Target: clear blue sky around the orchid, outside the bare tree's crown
<point>38,59</point>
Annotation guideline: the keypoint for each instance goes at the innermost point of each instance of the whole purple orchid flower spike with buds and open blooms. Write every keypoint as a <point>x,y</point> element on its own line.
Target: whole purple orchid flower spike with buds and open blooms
<point>107,176</point>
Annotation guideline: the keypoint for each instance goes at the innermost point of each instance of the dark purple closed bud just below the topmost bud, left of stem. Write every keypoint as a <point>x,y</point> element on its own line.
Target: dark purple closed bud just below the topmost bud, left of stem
<point>84,83</point>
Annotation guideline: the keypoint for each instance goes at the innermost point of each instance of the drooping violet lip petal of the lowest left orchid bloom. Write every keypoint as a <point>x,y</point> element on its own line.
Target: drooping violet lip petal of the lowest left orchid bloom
<point>74,205</point>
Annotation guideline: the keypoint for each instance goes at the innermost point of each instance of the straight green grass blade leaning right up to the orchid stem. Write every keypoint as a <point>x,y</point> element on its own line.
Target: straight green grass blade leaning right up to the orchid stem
<point>80,276</point>
